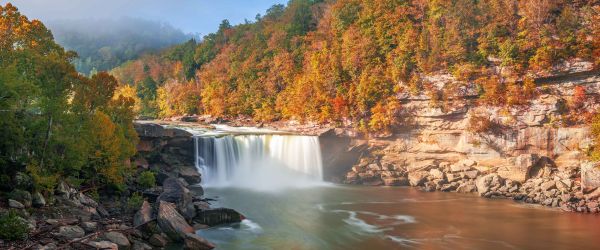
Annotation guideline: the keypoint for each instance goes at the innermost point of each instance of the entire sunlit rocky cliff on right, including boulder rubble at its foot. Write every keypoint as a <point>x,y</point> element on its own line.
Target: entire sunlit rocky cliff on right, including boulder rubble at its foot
<point>519,150</point>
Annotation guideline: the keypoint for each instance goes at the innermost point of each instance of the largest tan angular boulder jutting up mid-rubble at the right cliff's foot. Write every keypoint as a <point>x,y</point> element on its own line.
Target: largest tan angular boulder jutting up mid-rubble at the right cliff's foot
<point>518,168</point>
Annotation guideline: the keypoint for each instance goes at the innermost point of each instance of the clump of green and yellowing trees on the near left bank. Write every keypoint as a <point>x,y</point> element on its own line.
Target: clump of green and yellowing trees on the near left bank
<point>57,124</point>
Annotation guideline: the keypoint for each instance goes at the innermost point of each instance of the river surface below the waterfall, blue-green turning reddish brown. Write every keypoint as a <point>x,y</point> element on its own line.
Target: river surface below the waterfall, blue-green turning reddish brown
<point>344,217</point>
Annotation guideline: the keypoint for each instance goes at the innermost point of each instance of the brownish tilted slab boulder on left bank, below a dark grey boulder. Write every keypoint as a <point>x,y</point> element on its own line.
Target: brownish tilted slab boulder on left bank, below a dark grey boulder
<point>171,222</point>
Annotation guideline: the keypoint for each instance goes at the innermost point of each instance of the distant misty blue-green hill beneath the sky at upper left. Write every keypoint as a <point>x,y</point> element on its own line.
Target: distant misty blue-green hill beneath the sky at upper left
<point>103,44</point>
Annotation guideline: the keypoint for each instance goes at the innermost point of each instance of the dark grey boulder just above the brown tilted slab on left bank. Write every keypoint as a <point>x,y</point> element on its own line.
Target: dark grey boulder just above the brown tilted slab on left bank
<point>174,191</point>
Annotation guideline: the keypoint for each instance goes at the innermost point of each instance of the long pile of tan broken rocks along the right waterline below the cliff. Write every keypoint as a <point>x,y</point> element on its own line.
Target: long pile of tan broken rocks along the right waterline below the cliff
<point>530,179</point>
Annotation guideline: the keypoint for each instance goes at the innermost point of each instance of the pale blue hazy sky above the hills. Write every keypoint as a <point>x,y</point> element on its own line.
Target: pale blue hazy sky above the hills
<point>191,16</point>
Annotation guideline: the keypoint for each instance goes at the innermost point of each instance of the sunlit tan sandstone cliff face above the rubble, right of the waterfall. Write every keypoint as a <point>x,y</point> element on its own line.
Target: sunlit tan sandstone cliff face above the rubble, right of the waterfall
<point>526,142</point>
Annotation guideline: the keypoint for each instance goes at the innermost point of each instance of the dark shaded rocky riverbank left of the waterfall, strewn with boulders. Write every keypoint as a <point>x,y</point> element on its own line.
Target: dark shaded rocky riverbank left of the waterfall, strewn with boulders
<point>166,214</point>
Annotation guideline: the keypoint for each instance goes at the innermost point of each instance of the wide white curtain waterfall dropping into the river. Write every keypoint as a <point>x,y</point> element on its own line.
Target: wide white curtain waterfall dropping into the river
<point>258,160</point>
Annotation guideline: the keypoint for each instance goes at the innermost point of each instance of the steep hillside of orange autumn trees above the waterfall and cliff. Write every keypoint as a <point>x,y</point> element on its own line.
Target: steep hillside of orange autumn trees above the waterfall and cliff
<point>349,60</point>
